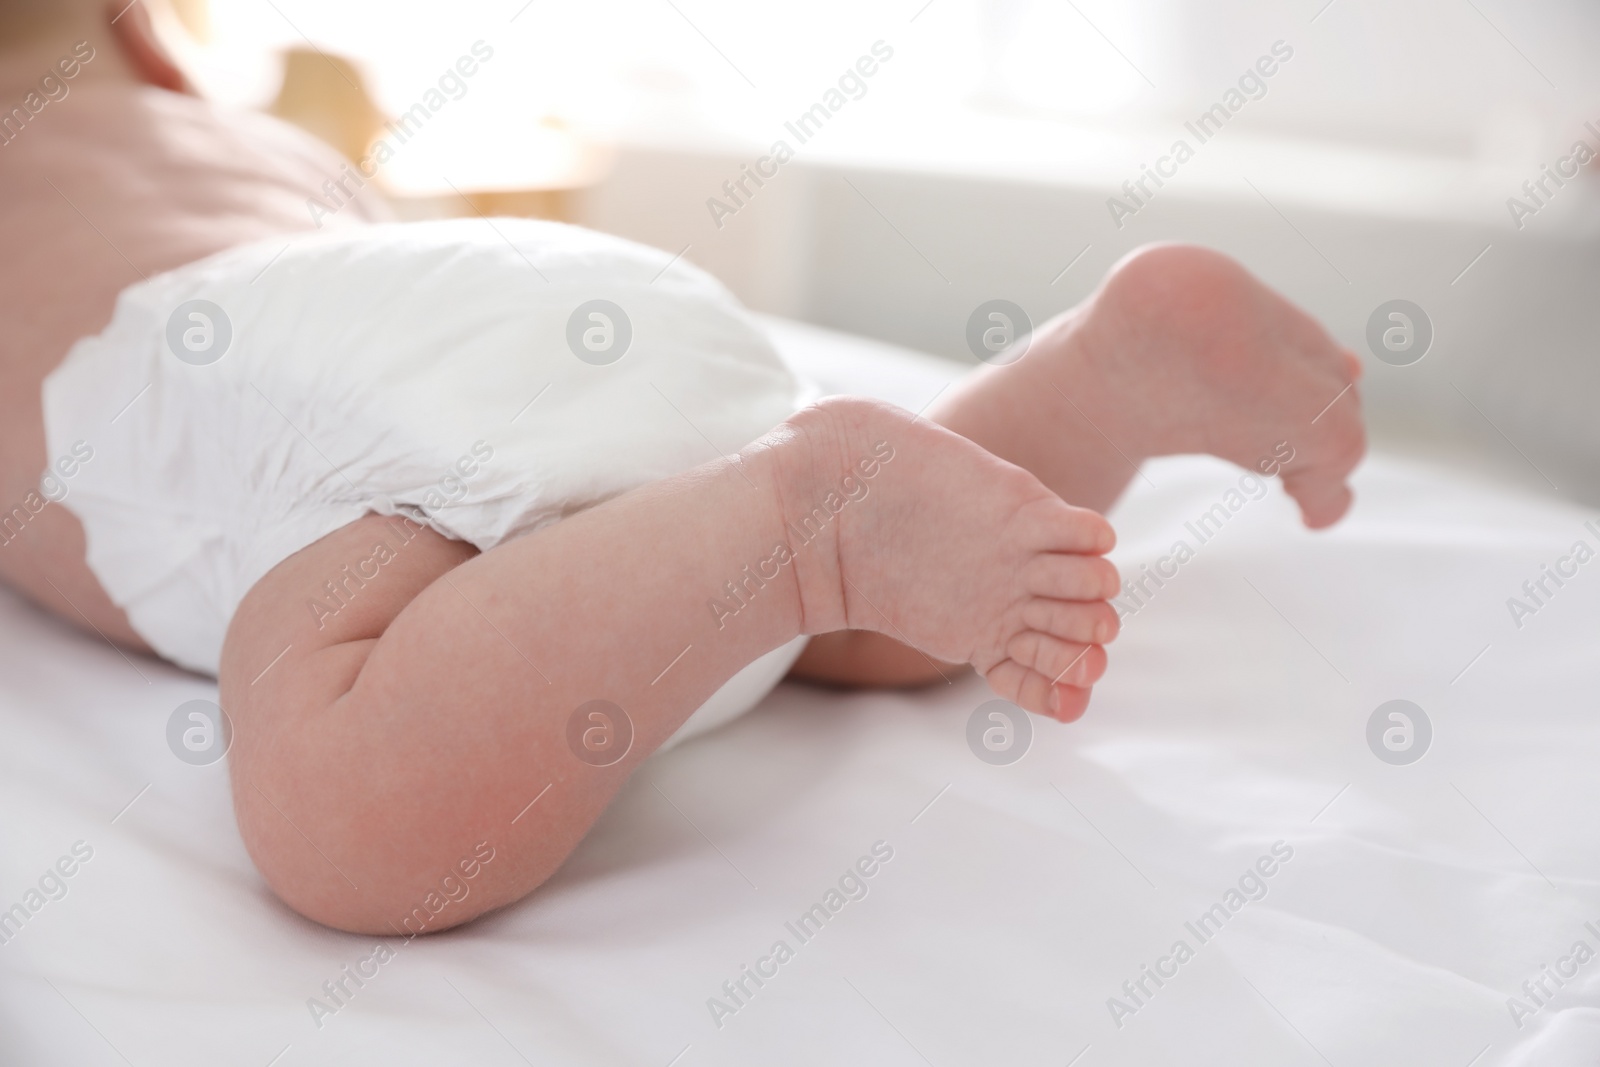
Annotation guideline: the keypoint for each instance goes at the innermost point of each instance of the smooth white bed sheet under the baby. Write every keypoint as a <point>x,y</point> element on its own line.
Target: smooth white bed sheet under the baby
<point>1018,900</point>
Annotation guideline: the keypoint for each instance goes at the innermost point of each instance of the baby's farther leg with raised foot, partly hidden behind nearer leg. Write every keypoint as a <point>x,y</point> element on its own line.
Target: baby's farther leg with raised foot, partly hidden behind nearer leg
<point>1180,351</point>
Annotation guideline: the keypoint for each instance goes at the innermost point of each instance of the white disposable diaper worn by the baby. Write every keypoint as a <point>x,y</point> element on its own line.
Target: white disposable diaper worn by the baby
<point>460,374</point>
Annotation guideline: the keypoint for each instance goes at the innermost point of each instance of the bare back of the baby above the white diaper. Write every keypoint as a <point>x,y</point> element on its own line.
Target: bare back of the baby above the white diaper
<point>111,185</point>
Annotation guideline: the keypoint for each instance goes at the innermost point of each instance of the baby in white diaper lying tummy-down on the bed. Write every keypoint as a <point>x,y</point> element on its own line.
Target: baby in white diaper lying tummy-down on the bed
<point>492,668</point>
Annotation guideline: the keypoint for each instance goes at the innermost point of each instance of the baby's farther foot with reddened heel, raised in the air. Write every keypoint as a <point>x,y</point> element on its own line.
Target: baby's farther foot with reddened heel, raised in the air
<point>1210,361</point>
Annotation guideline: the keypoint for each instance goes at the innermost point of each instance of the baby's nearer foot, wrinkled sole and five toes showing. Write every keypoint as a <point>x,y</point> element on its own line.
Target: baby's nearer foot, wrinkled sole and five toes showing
<point>927,538</point>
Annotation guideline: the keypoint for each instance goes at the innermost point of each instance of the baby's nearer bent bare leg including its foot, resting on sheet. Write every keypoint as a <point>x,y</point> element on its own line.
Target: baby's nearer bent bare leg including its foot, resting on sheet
<point>375,749</point>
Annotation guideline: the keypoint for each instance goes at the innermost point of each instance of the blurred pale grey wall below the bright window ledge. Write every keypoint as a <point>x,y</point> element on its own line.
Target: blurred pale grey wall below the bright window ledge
<point>906,257</point>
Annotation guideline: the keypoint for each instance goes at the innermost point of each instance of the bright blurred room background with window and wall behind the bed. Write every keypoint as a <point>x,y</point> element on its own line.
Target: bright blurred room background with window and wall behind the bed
<point>978,159</point>
